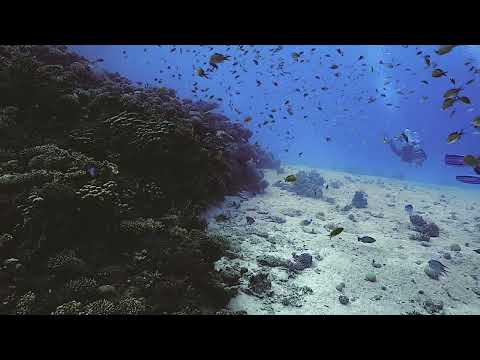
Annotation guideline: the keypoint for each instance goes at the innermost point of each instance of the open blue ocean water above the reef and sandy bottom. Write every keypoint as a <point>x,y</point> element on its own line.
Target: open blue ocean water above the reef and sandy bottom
<point>298,96</point>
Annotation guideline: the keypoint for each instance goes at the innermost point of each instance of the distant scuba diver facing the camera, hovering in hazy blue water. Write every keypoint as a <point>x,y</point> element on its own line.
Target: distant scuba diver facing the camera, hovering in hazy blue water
<point>407,147</point>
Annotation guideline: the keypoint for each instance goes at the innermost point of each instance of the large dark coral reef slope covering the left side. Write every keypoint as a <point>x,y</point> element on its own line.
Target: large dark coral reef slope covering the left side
<point>102,184</point>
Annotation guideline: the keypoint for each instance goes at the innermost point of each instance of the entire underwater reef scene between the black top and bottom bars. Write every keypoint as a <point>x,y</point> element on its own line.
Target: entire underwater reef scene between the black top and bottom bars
<point>239,179</point>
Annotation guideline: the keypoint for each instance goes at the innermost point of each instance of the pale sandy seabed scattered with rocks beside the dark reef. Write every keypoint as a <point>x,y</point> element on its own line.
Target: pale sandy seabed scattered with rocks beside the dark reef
<point>401,286</point>
